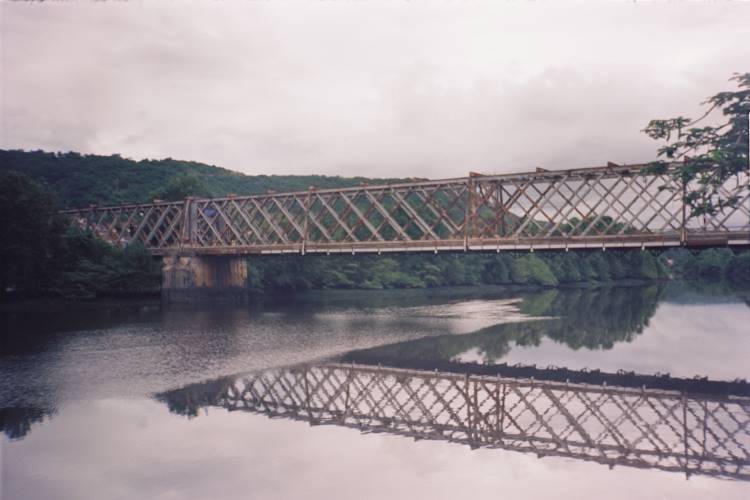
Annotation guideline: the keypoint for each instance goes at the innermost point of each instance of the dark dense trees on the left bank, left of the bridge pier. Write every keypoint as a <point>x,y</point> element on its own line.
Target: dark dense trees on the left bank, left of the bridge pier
<point>41,253</point>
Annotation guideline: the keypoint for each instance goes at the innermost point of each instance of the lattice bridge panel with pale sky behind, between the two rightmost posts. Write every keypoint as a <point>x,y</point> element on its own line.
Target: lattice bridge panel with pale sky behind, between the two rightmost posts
<point>571,204</point>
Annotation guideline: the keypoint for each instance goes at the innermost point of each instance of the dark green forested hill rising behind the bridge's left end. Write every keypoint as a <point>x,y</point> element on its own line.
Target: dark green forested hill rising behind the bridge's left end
<point>79,180</point>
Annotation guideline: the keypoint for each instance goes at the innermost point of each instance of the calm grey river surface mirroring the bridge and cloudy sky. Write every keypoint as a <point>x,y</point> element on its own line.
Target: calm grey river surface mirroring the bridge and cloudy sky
<point>138,401</point>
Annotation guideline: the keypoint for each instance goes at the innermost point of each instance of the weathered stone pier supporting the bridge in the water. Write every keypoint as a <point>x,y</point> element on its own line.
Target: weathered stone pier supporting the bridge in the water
<point>191,278</point>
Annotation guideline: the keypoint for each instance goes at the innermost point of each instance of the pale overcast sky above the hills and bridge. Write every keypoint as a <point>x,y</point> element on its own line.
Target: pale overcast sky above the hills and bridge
<point>362,88</point>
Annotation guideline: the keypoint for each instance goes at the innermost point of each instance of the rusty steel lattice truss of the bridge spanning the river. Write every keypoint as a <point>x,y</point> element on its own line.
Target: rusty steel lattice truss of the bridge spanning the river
<point>614,206</point>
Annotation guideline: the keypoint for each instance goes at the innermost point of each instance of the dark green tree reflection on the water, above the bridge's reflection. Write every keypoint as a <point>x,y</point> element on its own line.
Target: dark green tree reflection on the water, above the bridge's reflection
<point>593,319</point>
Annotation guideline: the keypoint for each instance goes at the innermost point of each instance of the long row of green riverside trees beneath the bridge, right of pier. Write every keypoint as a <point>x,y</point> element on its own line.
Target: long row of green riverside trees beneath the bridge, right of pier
<point>424,271</point>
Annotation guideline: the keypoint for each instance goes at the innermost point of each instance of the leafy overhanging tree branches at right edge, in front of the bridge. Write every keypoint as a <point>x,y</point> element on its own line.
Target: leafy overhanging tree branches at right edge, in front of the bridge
<point>712,155</point>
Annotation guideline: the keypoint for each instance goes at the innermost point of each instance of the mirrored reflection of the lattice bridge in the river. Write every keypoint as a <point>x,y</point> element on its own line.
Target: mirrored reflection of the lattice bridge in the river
<point>645,428</point>
